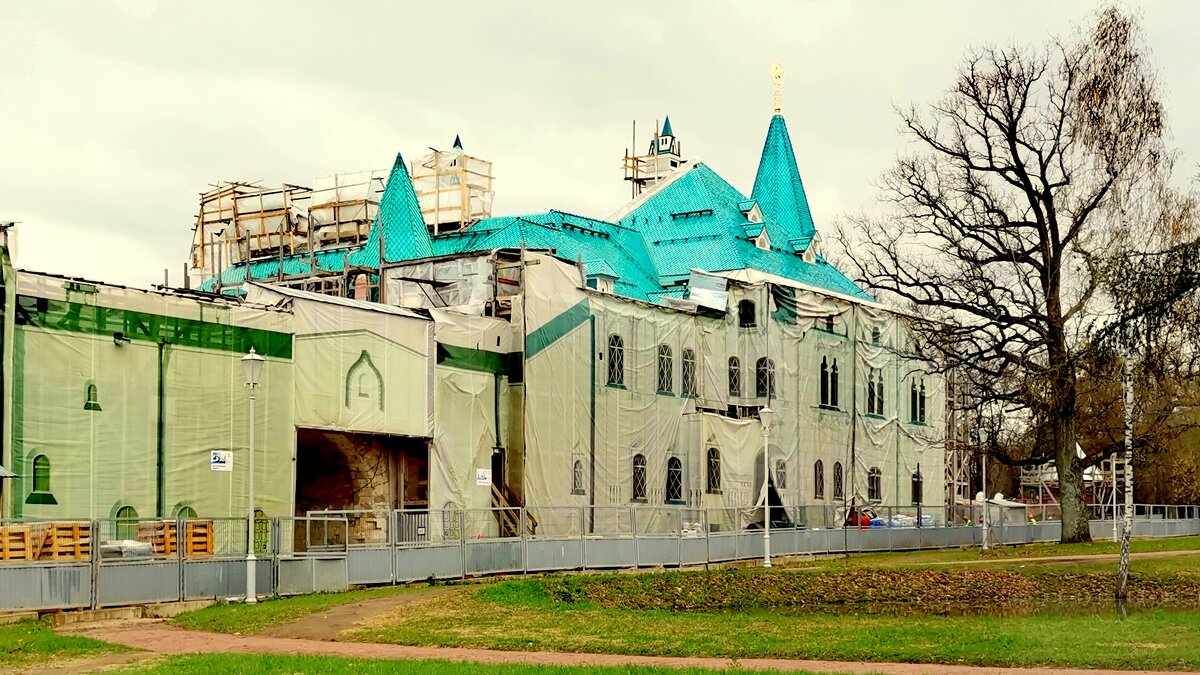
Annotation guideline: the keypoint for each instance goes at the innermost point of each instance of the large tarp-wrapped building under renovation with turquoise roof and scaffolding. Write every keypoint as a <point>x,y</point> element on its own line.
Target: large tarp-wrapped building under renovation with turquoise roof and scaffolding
<point>427,355</point>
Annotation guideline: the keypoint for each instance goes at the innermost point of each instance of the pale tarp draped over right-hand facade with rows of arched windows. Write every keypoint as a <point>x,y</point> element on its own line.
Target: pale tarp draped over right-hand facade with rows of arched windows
<point>791,328</point>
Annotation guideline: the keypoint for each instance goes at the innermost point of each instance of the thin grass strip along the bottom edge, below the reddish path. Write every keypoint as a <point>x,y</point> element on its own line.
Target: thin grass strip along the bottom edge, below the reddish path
<point>291,665</point>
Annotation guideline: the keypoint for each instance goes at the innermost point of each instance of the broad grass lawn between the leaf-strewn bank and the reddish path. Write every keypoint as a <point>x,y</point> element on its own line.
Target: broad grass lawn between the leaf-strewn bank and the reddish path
<point>515,616</point>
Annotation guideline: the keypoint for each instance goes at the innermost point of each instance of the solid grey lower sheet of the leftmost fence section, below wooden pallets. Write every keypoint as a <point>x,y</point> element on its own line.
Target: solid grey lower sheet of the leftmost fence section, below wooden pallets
<point>45,587</point>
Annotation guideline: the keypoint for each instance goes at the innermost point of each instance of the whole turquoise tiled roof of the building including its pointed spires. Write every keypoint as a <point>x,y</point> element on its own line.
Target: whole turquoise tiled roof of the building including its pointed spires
<point>695,220</point>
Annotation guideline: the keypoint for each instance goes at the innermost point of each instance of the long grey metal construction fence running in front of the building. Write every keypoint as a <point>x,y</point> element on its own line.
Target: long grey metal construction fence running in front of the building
<point>122,563</point>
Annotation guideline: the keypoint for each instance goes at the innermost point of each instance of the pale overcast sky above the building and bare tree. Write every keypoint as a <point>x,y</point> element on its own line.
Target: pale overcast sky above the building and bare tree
<point>115,116</point>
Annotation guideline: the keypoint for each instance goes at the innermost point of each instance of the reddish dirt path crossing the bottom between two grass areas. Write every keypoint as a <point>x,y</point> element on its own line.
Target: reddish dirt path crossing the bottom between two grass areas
<point>163,640</point>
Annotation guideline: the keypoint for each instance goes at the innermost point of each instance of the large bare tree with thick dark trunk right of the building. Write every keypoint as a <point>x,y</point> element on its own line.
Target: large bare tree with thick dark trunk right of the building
<point>1005,217</point>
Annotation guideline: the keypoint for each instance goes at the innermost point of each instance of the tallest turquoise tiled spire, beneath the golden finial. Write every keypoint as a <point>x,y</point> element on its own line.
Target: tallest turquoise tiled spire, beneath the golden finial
<point>778,187</point>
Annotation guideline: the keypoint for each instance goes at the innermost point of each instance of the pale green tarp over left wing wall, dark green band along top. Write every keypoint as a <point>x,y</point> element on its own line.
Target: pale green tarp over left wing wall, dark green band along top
<point>93,365</point>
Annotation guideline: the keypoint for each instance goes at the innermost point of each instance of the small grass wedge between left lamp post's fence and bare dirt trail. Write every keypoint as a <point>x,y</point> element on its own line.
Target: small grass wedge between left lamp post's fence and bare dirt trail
<point>247,619</point>
